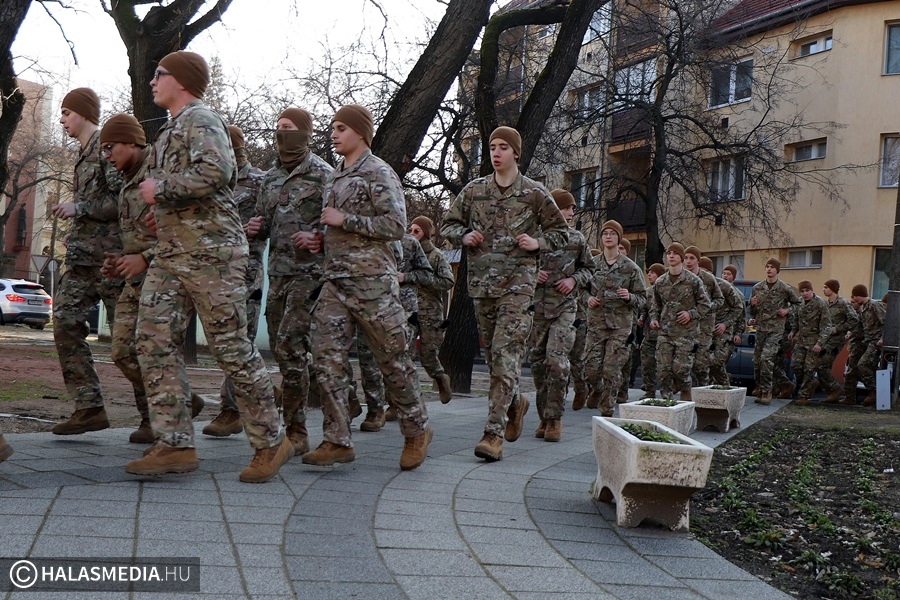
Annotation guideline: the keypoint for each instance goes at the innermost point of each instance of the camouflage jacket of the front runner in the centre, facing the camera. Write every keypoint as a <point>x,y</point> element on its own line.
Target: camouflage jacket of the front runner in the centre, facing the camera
<point>498,266</point>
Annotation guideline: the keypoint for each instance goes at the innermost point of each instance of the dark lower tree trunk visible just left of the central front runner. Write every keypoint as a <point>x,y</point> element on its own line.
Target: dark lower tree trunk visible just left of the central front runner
<point>460,345</point>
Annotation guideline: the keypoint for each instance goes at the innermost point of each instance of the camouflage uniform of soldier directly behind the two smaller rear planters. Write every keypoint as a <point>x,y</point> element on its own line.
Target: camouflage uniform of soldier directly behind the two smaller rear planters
<point>677,344</point>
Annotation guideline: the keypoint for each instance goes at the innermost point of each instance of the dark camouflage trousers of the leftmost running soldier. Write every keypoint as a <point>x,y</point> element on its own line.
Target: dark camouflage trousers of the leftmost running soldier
<point>80,288</point>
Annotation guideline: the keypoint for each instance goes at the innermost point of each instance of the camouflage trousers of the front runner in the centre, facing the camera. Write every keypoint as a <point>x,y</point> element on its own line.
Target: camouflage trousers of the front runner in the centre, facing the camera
<point>504,324</point>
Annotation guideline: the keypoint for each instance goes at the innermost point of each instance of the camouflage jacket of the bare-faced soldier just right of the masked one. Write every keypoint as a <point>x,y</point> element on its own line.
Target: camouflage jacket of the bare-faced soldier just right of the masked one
<point>368,192</point>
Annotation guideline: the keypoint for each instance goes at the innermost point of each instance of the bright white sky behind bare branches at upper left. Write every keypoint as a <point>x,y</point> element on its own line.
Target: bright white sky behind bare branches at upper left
<point>255,40</point>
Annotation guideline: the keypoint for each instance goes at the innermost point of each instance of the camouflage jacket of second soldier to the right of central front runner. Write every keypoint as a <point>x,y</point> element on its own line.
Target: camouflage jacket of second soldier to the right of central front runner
<point>613,312</point>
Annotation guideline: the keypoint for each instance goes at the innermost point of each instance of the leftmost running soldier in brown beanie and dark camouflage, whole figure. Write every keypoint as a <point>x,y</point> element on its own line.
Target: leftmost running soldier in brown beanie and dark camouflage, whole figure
<point>95,230</point>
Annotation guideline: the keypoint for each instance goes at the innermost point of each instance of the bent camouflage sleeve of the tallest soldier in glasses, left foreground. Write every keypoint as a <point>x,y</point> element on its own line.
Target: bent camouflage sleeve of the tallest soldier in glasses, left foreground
<point>209,158</point>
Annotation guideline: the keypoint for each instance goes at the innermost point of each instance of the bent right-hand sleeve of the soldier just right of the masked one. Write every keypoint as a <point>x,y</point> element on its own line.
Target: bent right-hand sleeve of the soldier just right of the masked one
<point>389,221</point>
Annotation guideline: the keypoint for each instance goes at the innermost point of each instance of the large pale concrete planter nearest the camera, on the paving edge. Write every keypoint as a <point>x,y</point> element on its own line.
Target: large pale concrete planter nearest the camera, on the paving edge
<point>648,479</point>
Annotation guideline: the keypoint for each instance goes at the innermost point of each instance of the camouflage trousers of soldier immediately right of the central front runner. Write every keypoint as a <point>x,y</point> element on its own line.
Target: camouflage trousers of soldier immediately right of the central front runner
<point>551,342</point>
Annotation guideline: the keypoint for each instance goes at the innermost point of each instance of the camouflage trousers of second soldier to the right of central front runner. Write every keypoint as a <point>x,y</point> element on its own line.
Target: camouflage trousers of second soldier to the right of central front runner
<point>607,353</point>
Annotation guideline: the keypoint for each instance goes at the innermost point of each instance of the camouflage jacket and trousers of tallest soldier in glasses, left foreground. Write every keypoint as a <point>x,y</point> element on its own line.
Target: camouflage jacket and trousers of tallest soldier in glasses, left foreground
<point>201,258</point>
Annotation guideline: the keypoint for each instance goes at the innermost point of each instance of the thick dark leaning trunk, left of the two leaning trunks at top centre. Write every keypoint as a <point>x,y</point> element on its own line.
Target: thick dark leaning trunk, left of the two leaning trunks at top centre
<point>415,104</point>
